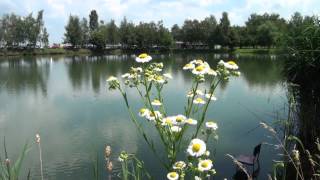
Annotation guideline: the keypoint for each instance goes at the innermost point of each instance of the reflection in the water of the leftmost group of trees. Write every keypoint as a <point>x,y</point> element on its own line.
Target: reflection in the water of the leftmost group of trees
<point>19,74</point>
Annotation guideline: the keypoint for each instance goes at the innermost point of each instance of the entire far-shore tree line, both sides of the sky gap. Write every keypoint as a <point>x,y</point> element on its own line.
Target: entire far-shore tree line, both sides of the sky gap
<point>260,30</point>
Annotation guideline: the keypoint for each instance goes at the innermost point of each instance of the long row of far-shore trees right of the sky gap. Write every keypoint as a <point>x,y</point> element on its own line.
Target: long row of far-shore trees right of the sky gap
<point>264,30</point>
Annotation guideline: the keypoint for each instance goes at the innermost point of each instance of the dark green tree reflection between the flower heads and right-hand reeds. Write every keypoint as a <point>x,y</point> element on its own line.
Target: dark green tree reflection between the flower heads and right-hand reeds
<point>260,71</point>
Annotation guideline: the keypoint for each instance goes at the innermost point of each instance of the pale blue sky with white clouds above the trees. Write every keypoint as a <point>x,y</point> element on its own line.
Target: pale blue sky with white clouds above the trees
<point>56,12</point>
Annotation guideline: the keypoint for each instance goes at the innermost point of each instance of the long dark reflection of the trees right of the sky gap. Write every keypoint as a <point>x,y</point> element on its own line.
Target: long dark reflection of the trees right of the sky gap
<point>262,72</point>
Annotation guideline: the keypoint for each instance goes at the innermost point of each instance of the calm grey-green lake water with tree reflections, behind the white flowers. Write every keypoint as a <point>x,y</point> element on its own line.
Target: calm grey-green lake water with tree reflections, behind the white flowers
<point>66,100</point>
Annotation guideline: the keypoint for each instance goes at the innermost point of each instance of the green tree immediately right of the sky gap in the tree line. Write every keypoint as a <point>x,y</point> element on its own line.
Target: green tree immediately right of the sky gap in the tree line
<point>73,31</point>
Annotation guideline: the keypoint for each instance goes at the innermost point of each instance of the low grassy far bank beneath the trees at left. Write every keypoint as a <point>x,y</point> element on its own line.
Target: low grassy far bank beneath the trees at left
<point>44,52</point>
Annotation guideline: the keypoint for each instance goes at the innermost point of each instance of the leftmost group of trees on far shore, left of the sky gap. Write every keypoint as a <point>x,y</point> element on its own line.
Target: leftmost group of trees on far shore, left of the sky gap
<point>23,32</point>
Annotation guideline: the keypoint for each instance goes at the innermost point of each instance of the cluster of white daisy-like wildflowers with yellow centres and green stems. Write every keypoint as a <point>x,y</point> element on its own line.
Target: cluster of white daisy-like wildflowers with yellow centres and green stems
<point>149,80</point>
